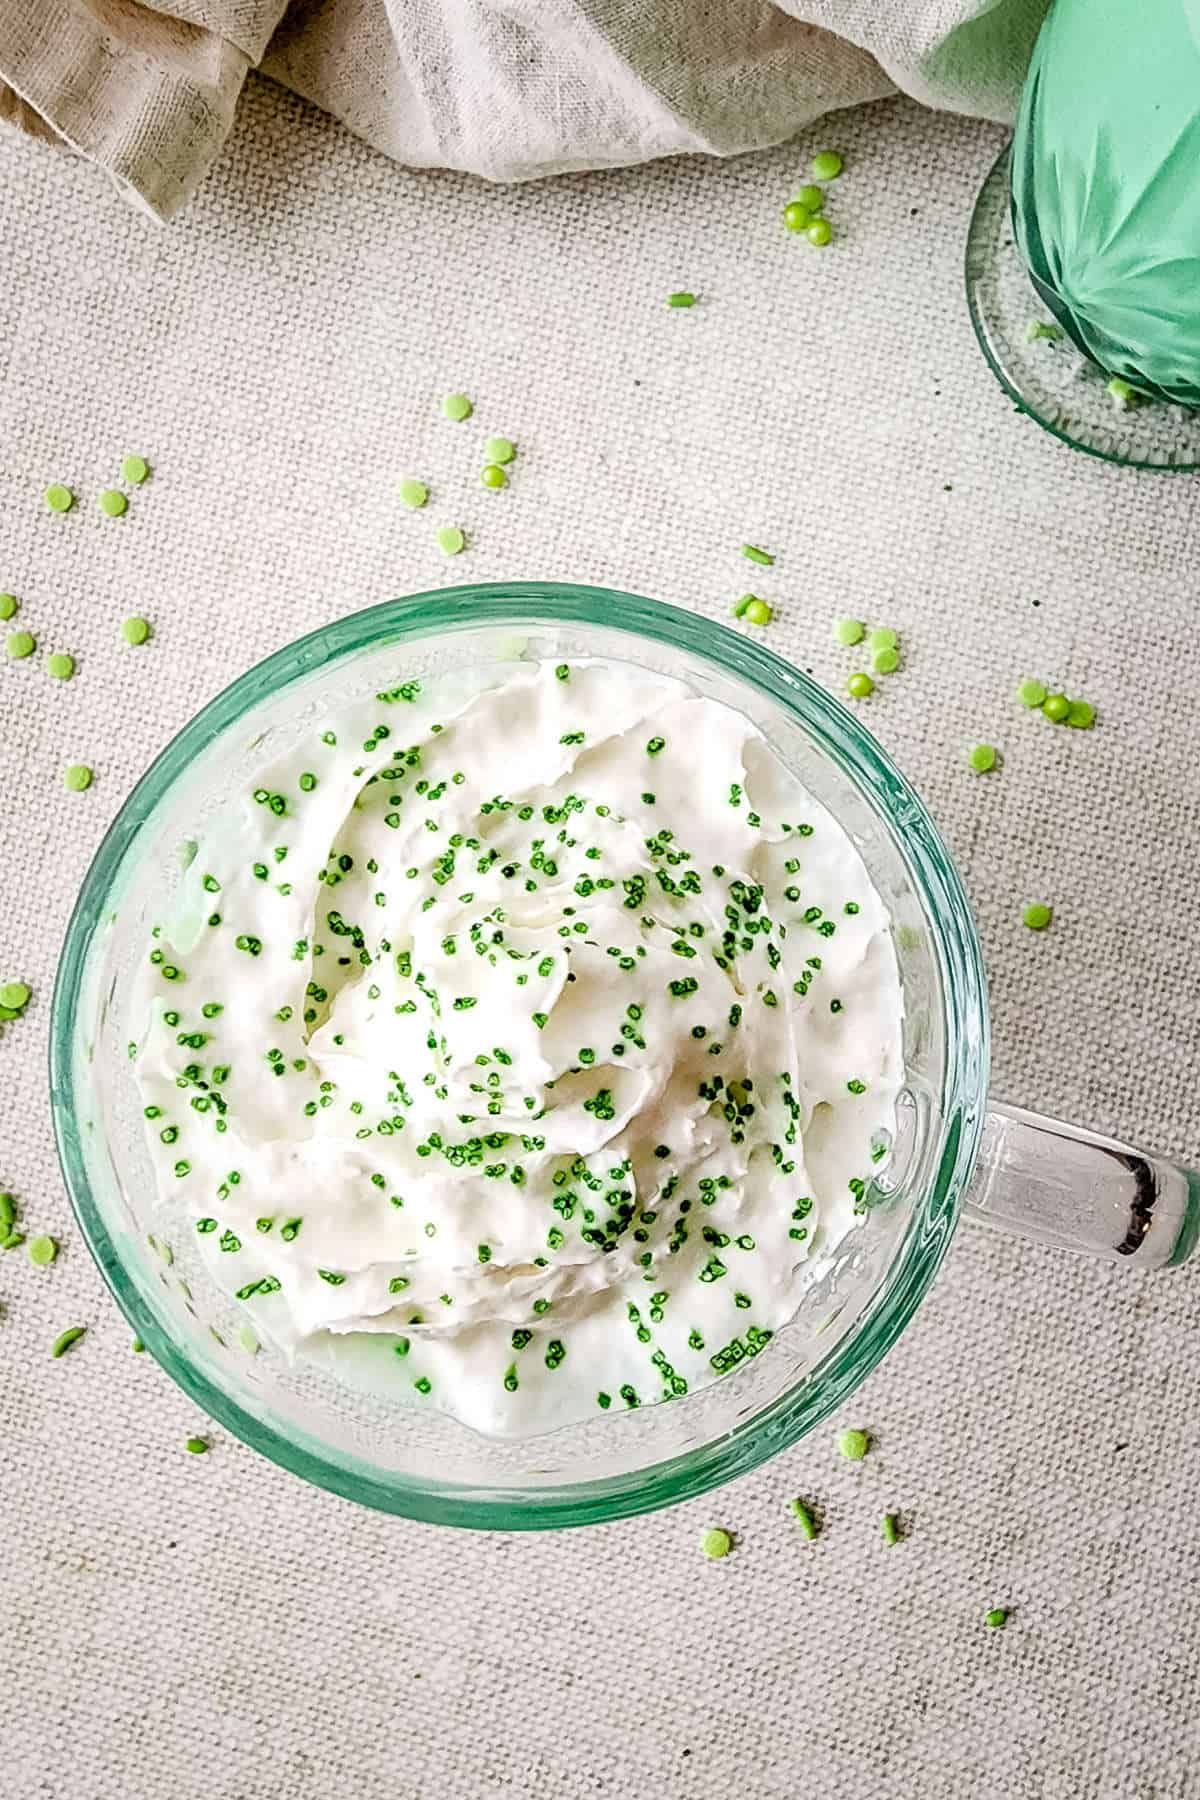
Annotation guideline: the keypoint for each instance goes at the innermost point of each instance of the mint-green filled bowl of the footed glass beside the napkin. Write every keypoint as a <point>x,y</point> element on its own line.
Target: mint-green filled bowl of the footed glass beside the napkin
<point>1107,186</point>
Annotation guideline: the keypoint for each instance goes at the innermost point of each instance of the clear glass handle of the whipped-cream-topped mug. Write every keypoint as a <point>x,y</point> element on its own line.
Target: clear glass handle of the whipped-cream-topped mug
<point>1059,1185</point>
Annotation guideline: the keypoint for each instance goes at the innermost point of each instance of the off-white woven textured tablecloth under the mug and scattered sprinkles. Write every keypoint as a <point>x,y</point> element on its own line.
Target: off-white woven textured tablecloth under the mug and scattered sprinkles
<point>208,1628</point>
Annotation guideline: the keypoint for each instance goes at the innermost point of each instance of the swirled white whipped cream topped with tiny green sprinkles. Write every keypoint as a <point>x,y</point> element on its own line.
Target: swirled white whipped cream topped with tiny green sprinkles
<point>551,1036</point>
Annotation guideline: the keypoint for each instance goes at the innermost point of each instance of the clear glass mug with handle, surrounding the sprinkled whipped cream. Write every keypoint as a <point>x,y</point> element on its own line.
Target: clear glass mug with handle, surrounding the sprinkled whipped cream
<point>954,1153</point>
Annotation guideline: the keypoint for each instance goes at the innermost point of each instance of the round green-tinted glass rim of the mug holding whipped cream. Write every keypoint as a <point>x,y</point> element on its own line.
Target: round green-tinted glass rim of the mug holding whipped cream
<point>965,1018</point>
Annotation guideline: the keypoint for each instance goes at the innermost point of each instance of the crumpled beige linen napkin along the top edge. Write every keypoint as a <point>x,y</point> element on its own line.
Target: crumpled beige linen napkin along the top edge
<point>505,89</point>
